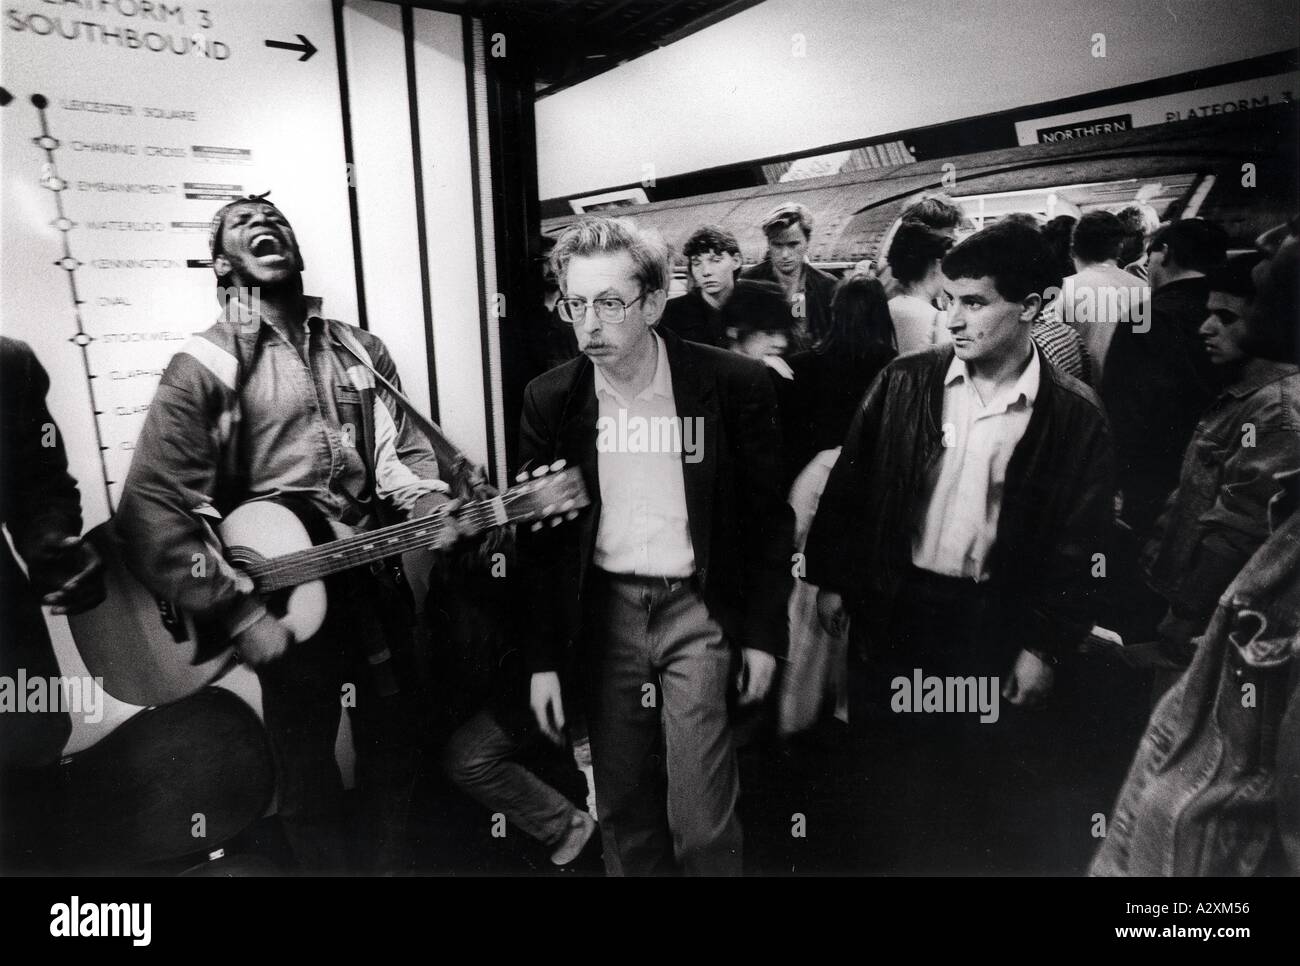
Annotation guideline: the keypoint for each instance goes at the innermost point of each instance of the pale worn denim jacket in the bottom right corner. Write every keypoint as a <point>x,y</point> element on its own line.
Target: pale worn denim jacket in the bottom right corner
<point>1216,781</point>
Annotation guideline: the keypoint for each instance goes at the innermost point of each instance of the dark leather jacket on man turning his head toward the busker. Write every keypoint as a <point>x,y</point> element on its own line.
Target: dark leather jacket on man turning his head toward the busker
<point>1055,521</point>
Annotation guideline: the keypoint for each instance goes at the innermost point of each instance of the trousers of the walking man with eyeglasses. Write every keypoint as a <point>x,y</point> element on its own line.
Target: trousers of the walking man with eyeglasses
<point>666,770</point>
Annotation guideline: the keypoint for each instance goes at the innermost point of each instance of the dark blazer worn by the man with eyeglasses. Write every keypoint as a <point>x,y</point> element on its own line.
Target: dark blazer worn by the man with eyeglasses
<point>742,527</point>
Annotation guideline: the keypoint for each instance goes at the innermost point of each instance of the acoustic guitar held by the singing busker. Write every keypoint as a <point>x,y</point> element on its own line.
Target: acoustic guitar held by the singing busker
<point>149,652</point>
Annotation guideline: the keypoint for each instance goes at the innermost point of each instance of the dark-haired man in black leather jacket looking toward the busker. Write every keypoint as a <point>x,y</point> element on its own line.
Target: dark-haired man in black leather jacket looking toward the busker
<point>965,529</point>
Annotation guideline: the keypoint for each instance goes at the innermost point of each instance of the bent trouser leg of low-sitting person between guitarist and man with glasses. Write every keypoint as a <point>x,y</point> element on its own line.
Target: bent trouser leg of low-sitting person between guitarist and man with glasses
<point>478,761</point>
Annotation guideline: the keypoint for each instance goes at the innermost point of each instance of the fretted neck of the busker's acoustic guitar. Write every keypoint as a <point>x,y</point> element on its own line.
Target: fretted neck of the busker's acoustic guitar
<point>366,548</point>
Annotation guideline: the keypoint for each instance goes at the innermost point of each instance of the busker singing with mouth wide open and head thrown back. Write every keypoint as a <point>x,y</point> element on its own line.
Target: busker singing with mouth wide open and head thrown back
<point>276,401</point>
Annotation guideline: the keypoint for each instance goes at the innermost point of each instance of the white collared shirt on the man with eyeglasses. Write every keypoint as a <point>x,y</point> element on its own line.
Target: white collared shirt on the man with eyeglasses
<point>644,527</point>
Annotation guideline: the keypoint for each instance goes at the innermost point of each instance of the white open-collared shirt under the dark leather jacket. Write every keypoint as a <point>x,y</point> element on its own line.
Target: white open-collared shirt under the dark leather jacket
<point>964,496</point>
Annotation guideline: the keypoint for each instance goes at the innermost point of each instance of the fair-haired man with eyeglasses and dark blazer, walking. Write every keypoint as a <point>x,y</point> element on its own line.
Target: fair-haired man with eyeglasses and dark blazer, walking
<point>683,560</point>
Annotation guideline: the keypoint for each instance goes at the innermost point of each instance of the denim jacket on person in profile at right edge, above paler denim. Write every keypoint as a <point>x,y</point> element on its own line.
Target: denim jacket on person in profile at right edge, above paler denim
<point>1217,517</point>
